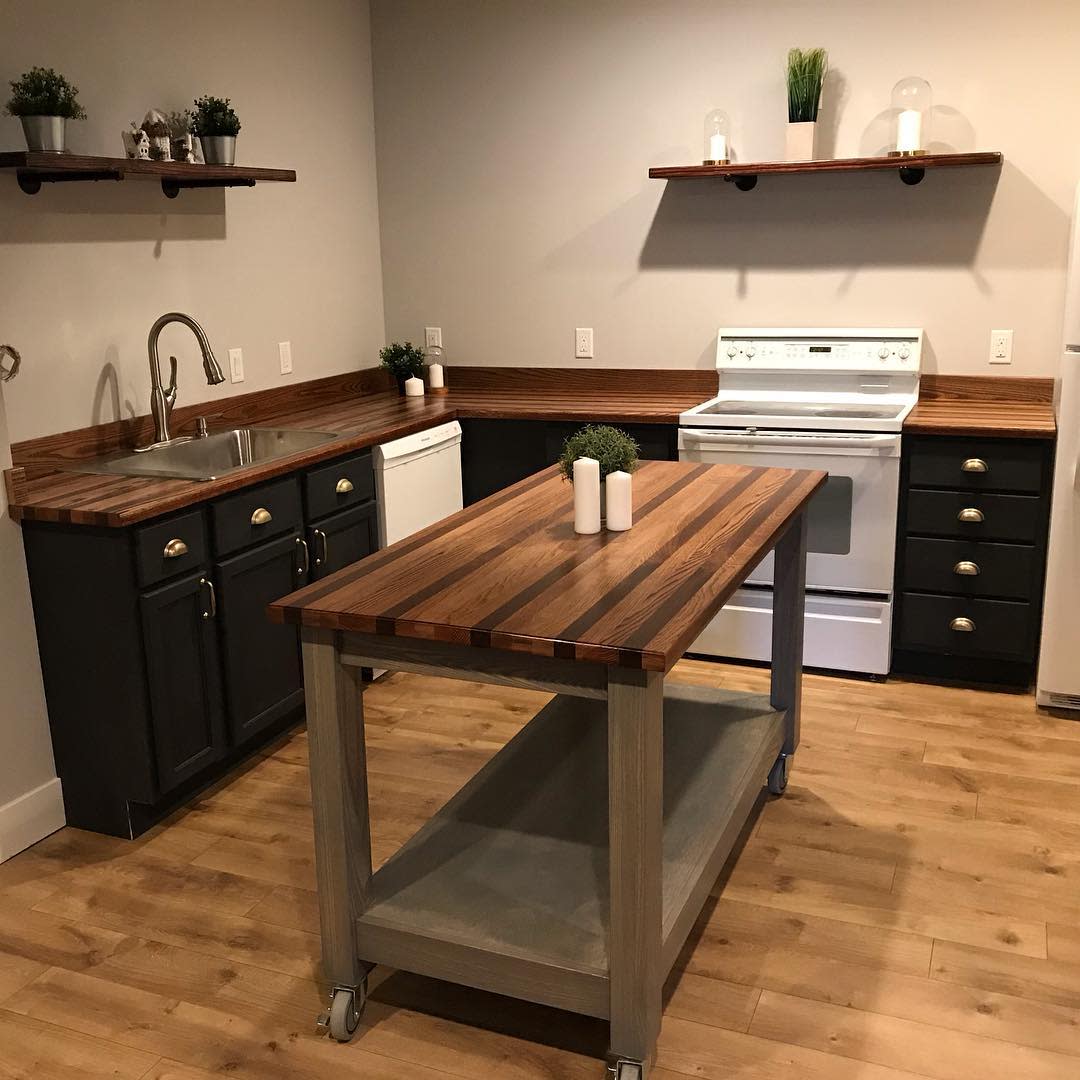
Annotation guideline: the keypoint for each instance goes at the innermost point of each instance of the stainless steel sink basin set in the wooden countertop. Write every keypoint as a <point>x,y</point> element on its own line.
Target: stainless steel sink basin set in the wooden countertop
<point>212,456</point>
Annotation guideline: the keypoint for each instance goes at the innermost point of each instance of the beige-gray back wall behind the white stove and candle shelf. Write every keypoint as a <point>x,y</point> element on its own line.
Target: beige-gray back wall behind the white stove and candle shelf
<point>515,140</point>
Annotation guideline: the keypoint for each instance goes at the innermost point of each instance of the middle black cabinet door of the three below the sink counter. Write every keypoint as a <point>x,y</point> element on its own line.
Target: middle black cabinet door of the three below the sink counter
<point>263,673</point>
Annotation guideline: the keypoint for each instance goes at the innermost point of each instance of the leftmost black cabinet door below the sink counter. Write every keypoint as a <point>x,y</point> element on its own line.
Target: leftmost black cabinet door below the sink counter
<point>184,678</point>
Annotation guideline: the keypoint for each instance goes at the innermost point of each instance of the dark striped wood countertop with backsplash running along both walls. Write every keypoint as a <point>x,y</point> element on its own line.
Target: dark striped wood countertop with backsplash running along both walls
<point>363,412</point>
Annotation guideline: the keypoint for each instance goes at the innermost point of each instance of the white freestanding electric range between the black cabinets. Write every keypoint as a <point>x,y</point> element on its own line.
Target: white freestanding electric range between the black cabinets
<point>816,399</point>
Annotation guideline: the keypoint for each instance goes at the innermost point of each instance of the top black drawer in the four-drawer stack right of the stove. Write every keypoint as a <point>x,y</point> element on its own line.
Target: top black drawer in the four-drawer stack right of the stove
<point>977,465</point>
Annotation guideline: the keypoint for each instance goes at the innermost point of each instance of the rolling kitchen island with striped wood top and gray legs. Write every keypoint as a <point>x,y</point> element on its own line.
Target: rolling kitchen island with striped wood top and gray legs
<point>572,869</point>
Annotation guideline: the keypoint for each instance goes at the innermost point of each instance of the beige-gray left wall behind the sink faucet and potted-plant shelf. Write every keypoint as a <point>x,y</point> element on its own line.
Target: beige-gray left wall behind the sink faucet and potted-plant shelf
<point>86,268</point>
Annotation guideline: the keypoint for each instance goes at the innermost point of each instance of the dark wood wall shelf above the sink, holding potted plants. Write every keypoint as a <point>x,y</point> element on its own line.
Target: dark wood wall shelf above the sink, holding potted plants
<point>33,169</point>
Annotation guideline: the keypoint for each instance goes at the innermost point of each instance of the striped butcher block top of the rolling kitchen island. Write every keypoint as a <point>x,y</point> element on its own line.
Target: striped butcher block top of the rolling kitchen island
<point>510,573</point>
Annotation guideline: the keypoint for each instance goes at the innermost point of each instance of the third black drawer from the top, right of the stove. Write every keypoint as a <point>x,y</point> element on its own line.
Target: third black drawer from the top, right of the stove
<point>971,569</point>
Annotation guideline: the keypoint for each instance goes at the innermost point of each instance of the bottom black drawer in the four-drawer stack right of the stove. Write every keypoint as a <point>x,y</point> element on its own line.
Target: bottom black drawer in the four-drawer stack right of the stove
<point>1003,629</point>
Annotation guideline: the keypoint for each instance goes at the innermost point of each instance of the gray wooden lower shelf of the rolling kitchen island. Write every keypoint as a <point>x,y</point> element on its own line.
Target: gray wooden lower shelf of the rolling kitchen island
<point>506,889</point>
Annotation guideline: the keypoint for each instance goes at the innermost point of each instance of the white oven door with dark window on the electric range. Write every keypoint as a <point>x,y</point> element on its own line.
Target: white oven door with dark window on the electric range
<point>852,521</point>
